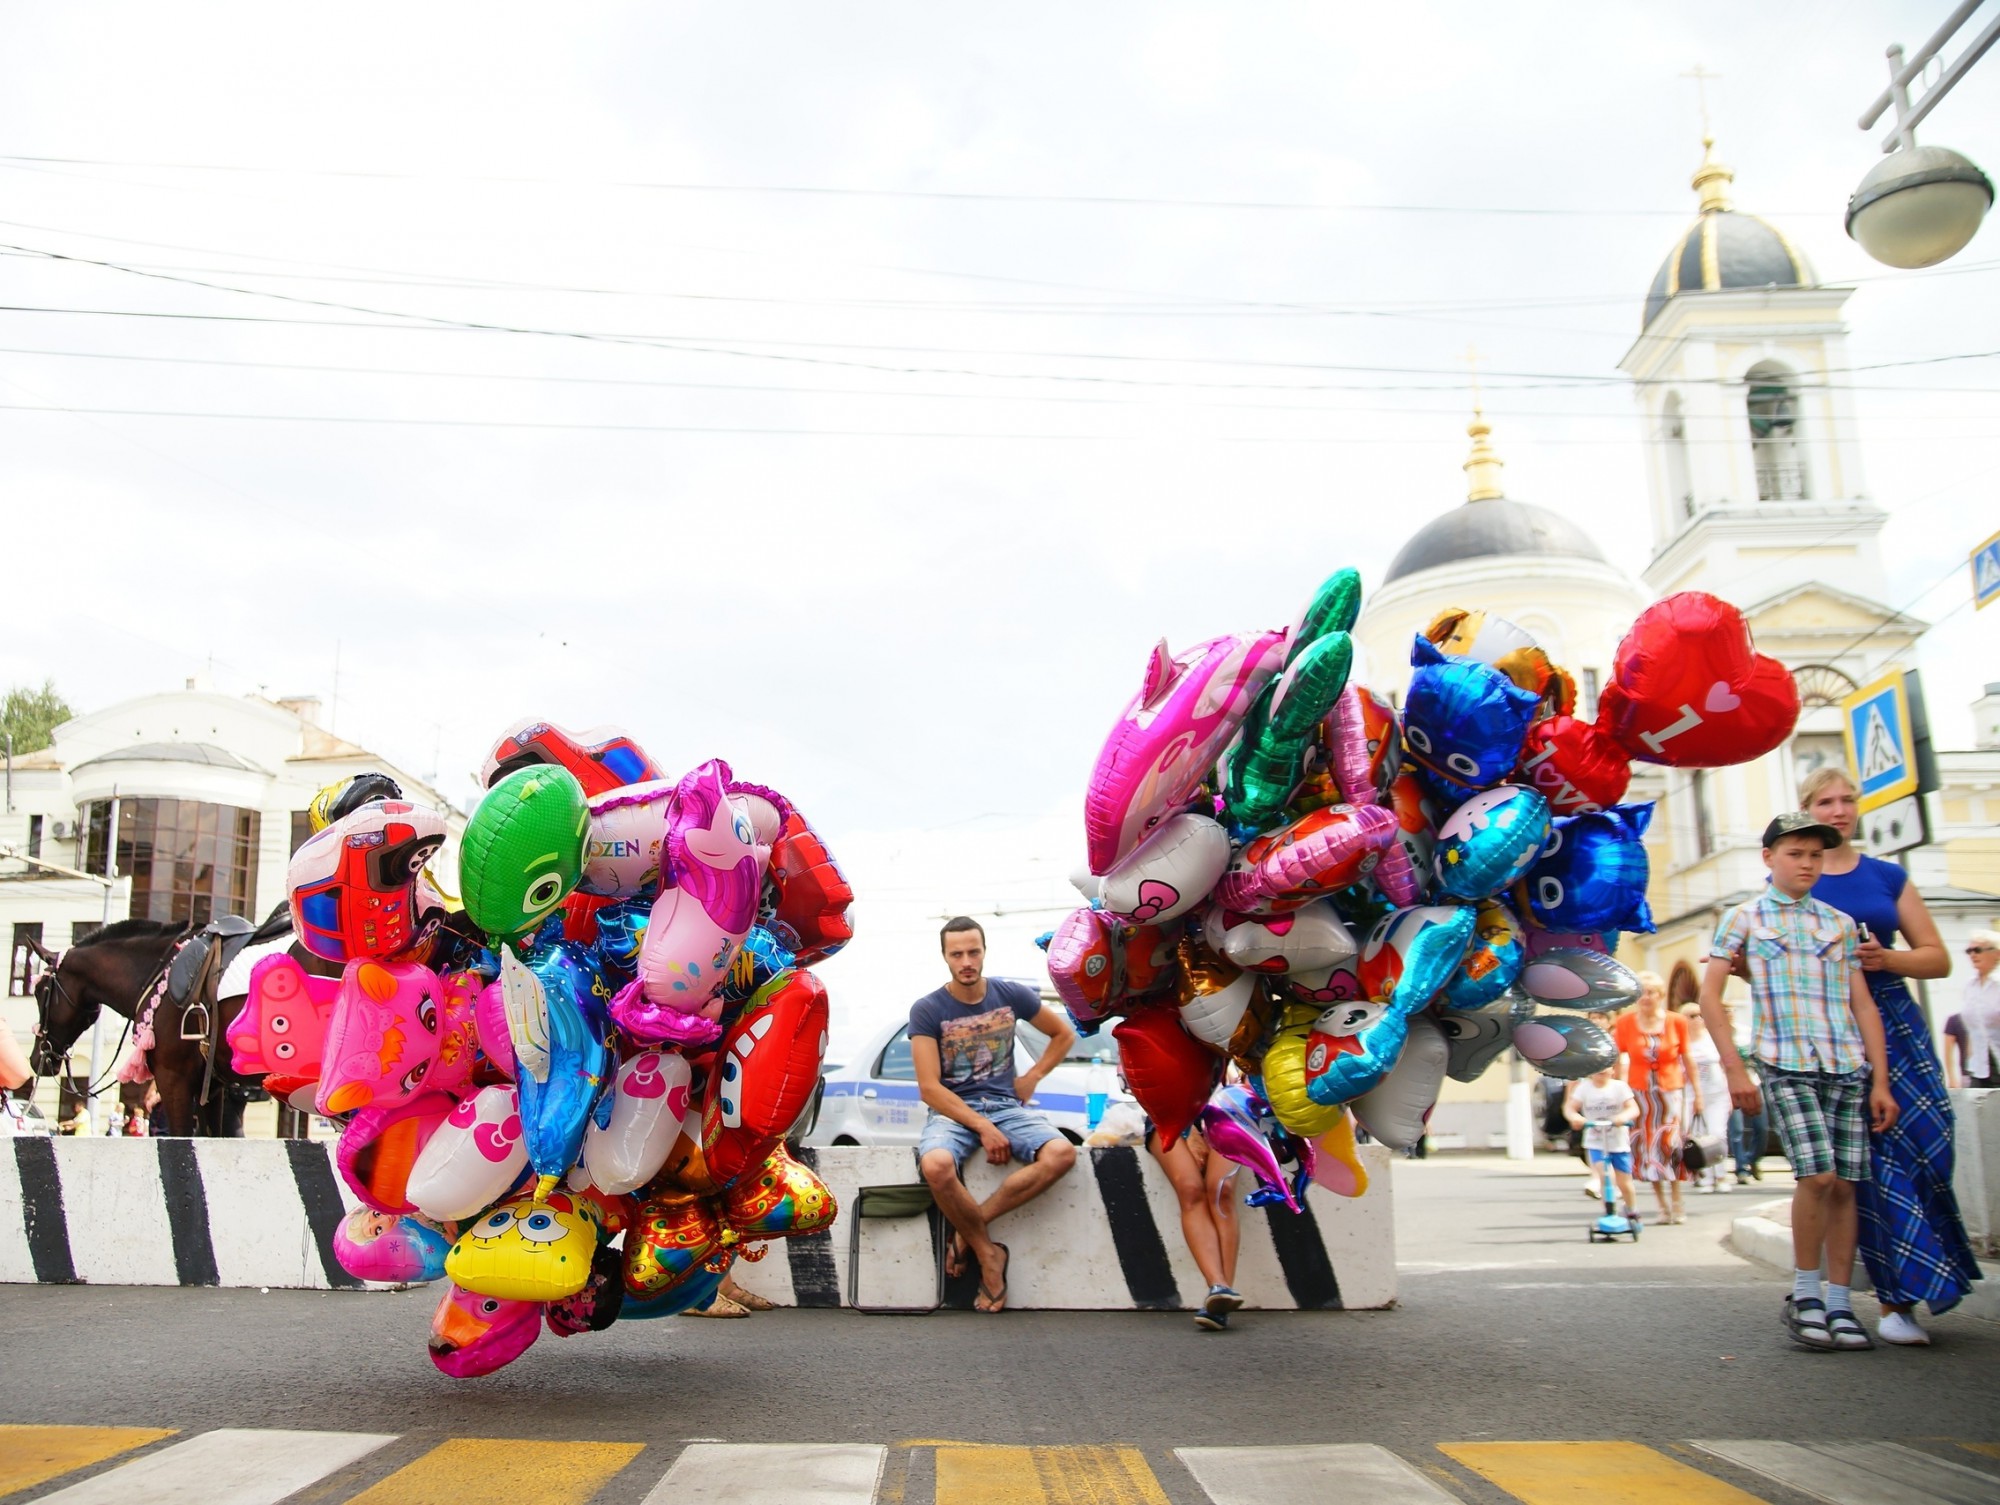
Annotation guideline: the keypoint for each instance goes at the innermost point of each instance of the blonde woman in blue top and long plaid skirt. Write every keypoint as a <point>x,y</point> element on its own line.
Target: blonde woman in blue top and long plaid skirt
<point>1913,1240</point>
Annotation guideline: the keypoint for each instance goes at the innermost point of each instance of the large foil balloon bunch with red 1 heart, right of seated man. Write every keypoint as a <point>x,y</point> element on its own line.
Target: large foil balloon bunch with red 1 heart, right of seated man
<point>1351,900</point>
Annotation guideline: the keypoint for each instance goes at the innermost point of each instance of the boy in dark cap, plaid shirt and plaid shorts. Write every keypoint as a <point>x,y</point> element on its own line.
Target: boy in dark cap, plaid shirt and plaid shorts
<point>1819,1044</point>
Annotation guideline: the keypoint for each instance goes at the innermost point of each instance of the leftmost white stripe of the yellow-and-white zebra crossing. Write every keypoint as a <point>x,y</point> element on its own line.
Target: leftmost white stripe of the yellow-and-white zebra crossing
<point>233,1466</point>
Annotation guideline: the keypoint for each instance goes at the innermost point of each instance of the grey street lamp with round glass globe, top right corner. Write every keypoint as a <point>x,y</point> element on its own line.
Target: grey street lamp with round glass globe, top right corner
<point>1921,205</point>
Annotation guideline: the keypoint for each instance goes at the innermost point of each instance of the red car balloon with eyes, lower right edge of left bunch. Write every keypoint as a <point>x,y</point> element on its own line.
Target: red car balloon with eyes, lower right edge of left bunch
<point>765,1072</point>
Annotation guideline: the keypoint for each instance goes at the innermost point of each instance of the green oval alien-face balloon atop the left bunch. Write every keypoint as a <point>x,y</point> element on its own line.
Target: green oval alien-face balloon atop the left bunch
<point>523,852</point>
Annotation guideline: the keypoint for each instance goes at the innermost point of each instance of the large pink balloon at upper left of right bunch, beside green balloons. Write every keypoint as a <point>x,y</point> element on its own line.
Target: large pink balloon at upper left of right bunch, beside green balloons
<point>1171,735</point>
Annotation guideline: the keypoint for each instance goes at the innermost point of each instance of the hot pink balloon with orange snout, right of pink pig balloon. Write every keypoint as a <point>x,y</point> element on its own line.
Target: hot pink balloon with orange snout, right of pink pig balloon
<point>397,1030</point>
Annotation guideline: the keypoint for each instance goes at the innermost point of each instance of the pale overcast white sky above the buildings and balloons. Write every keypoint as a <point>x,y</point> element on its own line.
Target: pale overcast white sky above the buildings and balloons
<point>871,385</point>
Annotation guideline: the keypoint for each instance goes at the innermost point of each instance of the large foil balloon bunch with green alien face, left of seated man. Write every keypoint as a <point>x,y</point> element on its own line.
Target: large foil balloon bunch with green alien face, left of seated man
<point>569,1098</point>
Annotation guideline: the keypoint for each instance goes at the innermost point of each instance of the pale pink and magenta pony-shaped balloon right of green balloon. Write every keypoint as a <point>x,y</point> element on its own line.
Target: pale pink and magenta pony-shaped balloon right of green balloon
<point>715,866</point>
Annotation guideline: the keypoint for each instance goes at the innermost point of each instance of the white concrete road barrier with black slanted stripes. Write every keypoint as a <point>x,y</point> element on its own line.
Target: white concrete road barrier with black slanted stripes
<point>253,1214</point>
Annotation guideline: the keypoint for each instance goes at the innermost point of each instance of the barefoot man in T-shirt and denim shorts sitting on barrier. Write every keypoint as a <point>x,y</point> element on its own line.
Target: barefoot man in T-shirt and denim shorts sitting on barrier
<point>963,1048</point>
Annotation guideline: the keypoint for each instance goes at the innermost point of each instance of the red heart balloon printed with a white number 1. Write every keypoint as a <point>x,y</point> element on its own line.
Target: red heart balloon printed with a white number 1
<point>1689,689</point>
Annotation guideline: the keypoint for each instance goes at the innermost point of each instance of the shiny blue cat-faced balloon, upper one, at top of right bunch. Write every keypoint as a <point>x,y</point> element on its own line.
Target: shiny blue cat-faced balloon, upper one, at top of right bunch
<point>1463,723</point>
